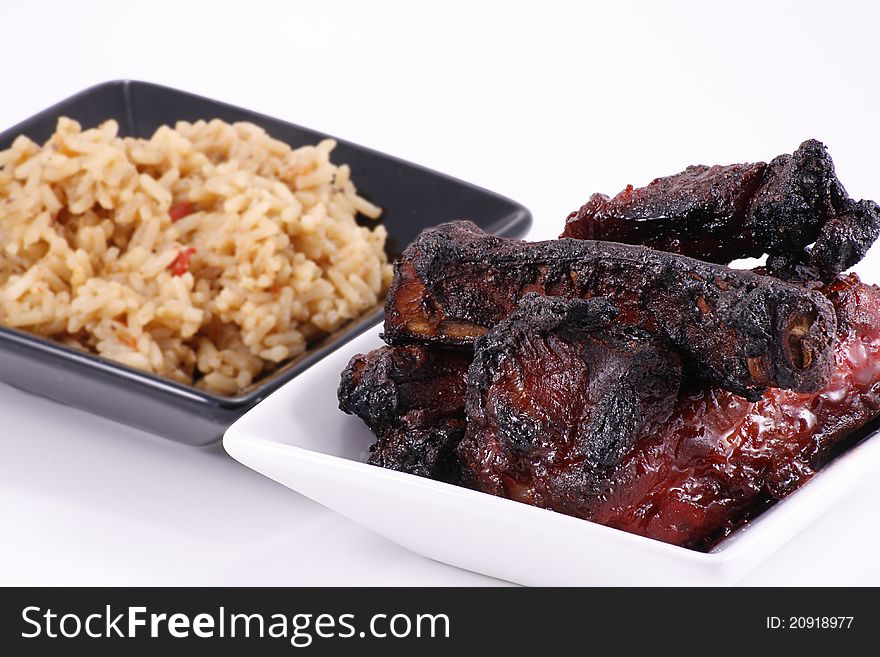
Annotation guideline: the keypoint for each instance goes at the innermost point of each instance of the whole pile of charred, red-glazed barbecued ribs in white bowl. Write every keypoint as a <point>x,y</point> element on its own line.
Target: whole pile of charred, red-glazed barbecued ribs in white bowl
<point>624,373</point>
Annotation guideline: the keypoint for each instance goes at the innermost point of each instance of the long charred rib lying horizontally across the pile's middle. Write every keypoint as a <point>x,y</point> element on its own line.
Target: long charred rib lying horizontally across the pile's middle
<point>733,328</point>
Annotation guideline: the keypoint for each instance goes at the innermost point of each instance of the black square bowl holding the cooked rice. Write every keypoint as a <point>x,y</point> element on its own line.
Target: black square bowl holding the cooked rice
<point>412,198</point>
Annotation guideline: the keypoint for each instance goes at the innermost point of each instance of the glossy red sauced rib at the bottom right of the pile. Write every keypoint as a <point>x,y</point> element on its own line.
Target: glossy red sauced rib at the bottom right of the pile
<point>716,460</point>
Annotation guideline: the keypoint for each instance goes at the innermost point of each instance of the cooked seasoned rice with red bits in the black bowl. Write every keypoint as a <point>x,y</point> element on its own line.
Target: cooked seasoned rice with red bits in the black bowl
<point>95,252</point>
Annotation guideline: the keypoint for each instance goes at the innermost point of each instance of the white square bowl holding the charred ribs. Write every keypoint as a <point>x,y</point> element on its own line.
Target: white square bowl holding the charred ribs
<point>300,438</point>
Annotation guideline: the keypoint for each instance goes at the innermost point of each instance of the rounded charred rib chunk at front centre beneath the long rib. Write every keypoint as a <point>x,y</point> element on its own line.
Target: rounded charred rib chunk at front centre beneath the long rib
<point>558,386</point>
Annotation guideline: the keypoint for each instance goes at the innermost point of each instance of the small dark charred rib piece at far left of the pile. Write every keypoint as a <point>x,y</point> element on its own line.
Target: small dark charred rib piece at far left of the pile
<point>412,397</point>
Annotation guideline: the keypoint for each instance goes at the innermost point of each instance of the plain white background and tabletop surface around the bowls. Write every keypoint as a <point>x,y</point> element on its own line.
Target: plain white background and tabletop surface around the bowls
<point>545,102</point>
